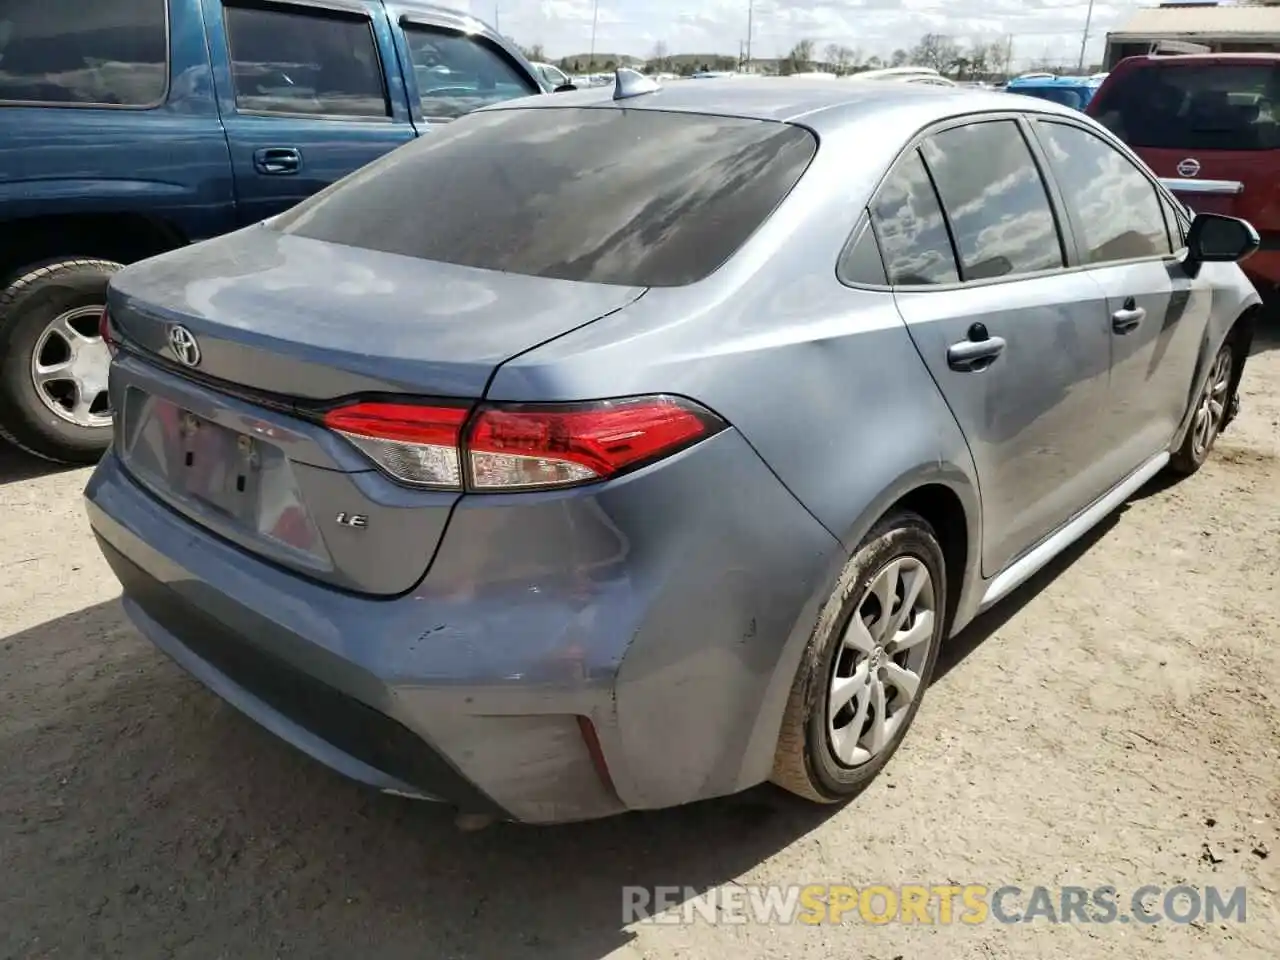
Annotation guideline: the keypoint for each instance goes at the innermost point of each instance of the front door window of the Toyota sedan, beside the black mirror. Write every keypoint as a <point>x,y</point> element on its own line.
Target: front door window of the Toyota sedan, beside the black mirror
<point>1117,207</point>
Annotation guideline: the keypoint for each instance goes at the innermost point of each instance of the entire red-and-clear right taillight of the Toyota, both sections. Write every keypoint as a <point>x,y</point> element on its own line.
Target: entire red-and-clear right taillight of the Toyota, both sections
<point>520,446</point>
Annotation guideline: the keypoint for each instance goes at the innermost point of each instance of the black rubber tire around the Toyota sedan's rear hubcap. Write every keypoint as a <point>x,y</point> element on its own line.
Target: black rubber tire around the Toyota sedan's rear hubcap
<point>806,762</point>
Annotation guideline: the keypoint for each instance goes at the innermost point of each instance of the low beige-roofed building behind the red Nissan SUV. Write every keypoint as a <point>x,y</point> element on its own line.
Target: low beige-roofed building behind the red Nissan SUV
<point>1224,29</point>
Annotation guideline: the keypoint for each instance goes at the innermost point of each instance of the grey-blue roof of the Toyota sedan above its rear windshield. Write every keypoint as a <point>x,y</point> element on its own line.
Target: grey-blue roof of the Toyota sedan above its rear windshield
<point>820,102</point>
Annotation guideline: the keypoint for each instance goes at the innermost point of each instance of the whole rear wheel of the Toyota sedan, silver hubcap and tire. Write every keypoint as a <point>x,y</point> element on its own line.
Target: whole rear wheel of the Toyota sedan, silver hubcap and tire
<point>868,664</point>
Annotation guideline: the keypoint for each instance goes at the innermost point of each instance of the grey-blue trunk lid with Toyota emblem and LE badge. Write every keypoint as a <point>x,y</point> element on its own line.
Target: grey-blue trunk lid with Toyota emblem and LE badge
<point>230,432</point>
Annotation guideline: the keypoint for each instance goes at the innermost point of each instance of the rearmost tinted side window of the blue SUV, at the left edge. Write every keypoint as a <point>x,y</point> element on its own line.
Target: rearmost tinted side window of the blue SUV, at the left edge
<point>108,53</point>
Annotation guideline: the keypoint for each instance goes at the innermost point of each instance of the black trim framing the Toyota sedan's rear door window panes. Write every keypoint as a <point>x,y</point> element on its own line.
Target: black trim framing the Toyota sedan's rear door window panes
<point>1064,226</point>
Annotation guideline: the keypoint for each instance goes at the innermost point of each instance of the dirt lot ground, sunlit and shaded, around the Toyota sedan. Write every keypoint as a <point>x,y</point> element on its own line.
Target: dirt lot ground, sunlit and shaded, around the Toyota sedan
<point>1117,723</point>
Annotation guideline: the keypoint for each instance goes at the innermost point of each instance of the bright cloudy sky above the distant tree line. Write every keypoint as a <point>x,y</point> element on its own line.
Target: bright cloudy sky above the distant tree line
<point>1043,29</point>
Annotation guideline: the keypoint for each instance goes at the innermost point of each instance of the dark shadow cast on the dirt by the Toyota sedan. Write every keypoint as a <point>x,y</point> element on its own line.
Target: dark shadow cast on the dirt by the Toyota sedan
<point>144,817</point>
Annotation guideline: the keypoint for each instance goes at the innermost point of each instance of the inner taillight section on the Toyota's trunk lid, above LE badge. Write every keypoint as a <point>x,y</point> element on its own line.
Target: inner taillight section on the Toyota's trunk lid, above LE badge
<point>415,444</point>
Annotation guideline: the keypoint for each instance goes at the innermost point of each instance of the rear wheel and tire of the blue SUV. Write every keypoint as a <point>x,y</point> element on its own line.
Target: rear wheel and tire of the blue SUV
<point>53,363</point>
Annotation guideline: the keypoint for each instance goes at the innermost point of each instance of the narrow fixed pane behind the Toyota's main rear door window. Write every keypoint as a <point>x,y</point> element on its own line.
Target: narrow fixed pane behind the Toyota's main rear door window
<point>911,228</point>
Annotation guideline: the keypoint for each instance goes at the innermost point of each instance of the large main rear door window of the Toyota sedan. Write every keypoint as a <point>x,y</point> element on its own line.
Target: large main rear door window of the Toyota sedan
<point>995,199</point>
